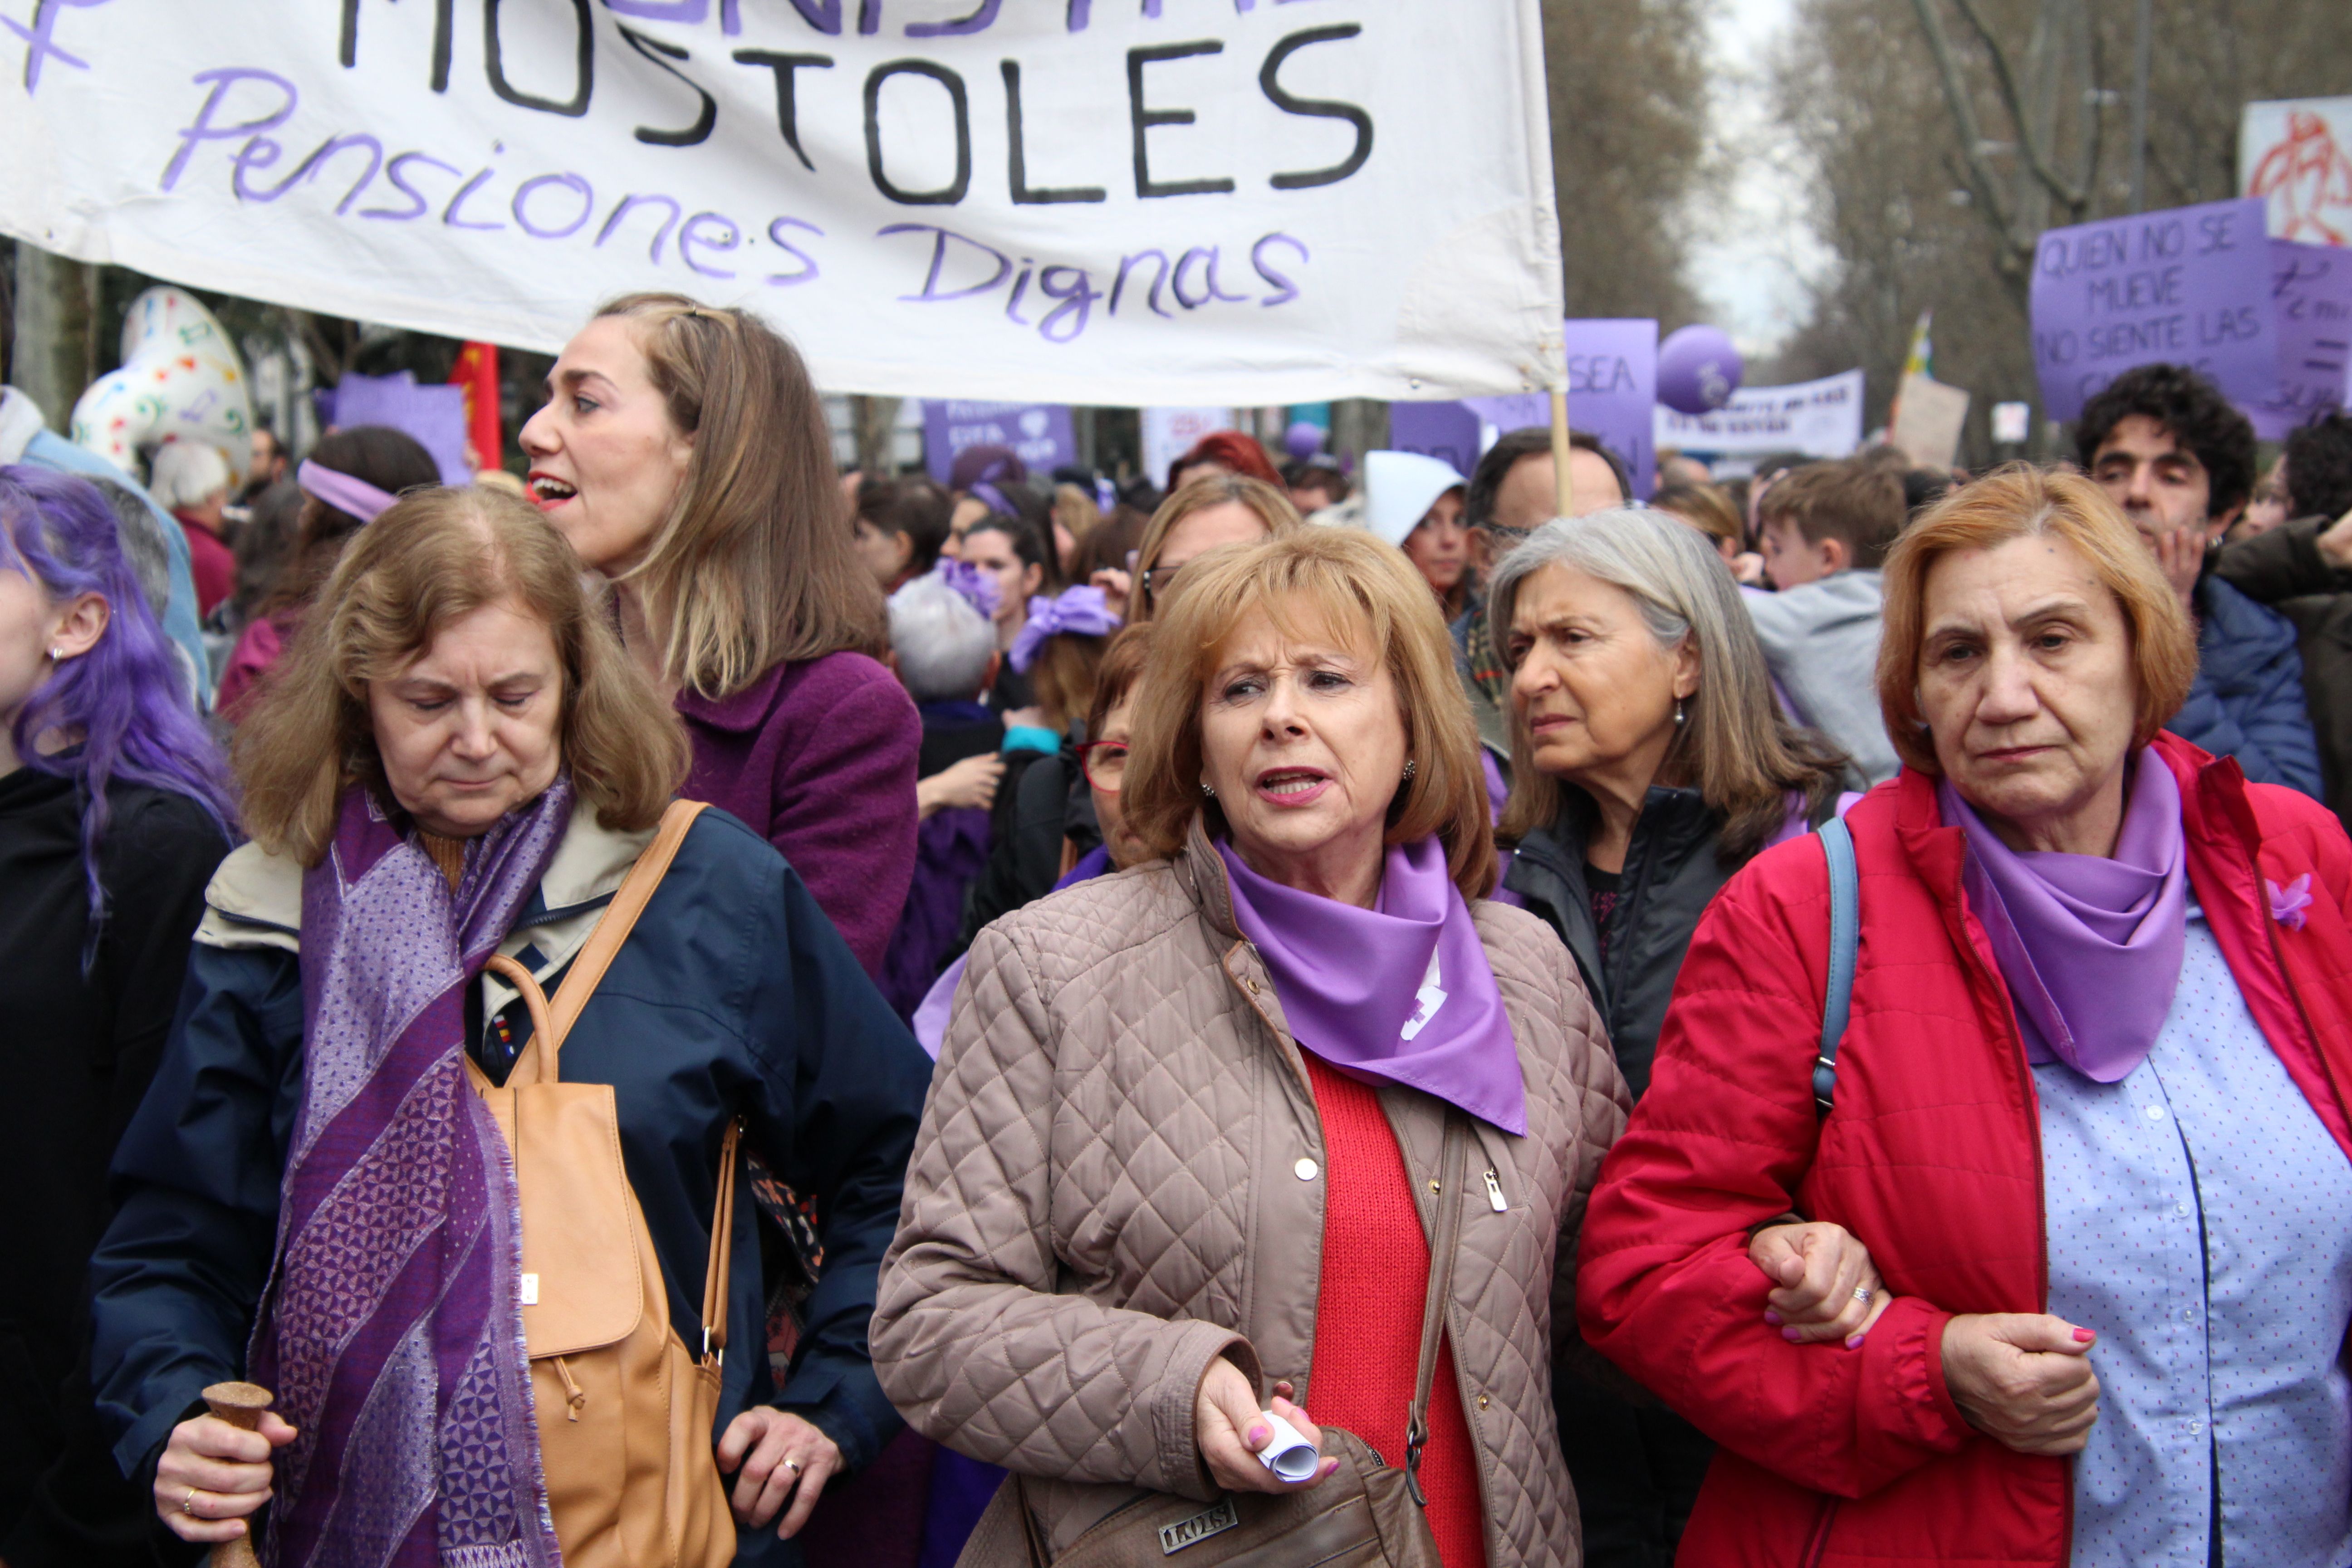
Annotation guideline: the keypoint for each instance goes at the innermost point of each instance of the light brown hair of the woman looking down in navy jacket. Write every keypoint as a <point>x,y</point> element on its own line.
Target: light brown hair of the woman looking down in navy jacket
<point>434,558</point>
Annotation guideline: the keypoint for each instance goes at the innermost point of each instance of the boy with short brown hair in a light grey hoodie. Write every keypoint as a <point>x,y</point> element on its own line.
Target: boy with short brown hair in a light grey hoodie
<point>1826,528</point>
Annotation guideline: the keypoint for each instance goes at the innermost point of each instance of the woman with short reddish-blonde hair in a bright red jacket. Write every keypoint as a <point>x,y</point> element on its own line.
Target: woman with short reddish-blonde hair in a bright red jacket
<point>2087,1113</point>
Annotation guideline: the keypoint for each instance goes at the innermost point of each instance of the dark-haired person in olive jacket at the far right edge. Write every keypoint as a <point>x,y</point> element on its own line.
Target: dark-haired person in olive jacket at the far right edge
<point>2304,570</point>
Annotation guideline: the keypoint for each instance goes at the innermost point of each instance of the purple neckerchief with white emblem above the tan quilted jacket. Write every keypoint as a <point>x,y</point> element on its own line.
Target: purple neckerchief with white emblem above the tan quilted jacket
<point>1401,991</point>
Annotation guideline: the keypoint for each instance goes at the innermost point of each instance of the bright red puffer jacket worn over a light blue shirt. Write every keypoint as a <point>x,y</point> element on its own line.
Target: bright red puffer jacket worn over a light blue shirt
<point>1932,1158</point>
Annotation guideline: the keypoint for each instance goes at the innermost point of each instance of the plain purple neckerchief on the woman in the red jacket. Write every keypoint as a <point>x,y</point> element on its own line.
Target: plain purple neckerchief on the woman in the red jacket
<point>2090,946</point>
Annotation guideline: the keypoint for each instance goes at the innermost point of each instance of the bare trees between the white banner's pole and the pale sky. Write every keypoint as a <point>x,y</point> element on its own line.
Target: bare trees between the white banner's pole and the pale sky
<point>1629,95</point>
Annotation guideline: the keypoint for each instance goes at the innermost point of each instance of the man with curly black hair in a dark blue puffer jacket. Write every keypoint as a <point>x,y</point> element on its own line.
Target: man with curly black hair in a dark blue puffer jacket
<point>2179,460</point>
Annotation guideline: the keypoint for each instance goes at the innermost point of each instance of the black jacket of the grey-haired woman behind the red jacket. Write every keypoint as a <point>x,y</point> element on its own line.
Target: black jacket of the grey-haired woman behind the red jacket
<point>1671,876</point>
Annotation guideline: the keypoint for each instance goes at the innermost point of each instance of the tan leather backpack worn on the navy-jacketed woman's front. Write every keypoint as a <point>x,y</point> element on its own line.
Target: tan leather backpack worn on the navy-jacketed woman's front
<point>624,1407</point>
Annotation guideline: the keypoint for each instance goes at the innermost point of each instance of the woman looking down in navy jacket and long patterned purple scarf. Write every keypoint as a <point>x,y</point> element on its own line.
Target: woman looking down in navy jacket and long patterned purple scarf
<point>457,763</point>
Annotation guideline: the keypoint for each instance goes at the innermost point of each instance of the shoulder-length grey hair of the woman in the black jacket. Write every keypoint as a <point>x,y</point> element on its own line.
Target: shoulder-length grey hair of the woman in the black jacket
<point>1732,746</point>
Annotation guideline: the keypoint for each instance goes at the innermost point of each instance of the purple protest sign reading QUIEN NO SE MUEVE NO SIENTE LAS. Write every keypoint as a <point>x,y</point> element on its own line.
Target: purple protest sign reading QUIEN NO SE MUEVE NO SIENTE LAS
<point>2189,286</point>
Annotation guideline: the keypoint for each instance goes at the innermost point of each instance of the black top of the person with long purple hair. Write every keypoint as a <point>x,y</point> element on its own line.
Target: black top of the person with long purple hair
<point>76,1054</point>
